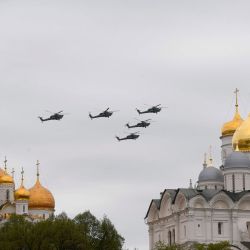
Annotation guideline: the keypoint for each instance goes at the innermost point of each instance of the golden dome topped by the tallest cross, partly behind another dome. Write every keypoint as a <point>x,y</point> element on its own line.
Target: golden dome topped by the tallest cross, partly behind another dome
<point>230,127</point>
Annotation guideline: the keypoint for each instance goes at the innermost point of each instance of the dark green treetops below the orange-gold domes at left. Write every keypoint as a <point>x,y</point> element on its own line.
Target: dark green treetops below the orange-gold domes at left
<point>84,232</point>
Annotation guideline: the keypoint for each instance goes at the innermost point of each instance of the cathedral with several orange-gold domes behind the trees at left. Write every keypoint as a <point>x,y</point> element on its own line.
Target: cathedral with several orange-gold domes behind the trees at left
<point>36,203</point>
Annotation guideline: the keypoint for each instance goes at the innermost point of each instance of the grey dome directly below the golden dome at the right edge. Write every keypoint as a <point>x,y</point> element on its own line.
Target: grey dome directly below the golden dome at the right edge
<point>237,160</point>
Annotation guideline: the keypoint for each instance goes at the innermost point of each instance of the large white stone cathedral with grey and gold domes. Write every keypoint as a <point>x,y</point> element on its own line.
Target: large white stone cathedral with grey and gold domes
<point>218,207</point>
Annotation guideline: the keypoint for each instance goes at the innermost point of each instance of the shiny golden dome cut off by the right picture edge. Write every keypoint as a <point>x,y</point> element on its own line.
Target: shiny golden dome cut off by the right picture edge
<point>241,138</point>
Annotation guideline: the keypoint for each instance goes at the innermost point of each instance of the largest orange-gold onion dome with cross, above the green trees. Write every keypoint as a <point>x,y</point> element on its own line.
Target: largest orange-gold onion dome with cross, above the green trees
<point>40,197</point>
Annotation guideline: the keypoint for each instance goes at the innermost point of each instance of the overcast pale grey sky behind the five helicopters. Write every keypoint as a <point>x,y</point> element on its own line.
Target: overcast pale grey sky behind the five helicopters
<point>81,56</point>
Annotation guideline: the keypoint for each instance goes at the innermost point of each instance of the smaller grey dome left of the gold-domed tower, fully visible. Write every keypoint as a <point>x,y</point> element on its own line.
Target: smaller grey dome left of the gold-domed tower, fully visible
<point>211,174</point>
